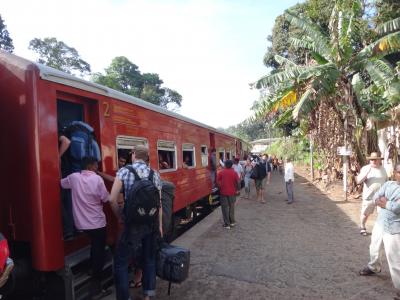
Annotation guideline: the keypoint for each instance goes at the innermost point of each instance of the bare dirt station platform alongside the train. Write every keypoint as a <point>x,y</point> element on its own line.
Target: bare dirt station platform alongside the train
<point>310,249</point>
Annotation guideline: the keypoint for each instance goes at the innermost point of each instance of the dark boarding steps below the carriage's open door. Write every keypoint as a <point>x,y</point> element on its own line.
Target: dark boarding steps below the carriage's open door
<point>76,274</point>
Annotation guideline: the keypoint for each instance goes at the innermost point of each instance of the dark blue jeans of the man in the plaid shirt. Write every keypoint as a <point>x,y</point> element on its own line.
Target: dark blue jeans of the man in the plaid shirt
<point>123,256</point>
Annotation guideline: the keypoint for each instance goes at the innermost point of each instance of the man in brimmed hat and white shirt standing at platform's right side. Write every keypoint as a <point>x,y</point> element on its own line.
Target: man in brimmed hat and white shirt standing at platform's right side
<point>373,176</point>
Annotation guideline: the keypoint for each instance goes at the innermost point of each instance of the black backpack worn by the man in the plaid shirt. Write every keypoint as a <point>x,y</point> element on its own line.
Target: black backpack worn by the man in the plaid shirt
<point>142,201</point>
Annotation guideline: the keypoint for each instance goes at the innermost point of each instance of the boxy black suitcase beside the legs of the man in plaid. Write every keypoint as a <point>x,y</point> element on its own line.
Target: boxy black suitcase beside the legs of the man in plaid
<point>173,264</point>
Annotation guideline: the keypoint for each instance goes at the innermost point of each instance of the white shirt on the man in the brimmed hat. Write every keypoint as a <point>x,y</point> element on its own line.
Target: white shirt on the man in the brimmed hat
<point>375,179</point>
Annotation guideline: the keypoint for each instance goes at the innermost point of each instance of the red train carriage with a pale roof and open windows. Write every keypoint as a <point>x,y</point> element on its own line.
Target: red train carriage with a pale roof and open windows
<point>35,101</point>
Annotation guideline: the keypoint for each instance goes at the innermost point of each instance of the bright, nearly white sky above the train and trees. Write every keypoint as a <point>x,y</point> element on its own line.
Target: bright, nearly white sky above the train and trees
<point>207,50</point>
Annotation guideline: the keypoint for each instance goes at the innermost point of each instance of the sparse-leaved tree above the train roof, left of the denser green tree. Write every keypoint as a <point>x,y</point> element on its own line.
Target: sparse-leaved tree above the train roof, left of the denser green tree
<point>59,55</point>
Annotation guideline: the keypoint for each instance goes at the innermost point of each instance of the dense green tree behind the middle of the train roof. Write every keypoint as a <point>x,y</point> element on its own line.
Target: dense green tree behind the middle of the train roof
<point>123,75</point>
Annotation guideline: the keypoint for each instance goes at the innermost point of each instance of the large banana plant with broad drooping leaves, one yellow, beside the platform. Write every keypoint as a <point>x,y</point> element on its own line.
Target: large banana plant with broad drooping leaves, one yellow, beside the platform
<point>352,78</point>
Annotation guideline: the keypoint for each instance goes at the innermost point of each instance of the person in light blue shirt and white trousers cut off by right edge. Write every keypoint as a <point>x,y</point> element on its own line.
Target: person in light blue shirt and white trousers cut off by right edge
<point>387,229</point>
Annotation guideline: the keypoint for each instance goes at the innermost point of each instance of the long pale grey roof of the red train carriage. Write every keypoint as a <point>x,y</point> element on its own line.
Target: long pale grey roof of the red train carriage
<point>54,75</point>
